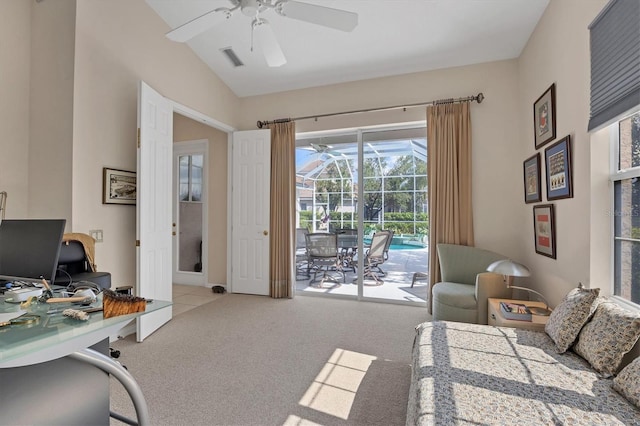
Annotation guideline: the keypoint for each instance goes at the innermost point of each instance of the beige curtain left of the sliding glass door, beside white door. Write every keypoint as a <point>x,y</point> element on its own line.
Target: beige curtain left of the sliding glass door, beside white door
<point>282,211</point>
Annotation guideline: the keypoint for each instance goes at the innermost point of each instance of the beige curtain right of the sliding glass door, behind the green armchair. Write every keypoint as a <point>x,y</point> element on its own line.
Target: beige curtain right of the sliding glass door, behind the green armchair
<point>449,174</point>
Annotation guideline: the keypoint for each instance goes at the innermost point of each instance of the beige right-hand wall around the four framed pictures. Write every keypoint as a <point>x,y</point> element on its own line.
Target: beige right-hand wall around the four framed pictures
<point>558,52</point>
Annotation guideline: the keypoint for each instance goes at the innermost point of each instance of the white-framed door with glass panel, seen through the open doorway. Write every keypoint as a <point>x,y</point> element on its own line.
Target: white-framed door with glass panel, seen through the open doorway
<point>189,213</point>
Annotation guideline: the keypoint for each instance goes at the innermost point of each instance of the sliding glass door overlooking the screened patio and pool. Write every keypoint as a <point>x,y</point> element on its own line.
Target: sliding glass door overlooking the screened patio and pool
<point>357,185</point>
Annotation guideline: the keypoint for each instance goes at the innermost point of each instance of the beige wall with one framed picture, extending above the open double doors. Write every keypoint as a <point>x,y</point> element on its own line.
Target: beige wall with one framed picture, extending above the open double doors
<point>118,43</point>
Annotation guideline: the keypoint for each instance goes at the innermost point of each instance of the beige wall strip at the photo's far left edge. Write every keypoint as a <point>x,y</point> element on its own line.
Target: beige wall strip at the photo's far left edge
<point>15,60</point>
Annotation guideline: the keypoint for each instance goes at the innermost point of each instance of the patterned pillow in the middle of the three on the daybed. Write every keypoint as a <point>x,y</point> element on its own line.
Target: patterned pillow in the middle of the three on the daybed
<point>609,335</point>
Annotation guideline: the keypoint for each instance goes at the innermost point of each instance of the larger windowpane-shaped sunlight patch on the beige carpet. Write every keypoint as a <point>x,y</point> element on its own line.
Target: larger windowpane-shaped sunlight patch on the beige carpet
<point>334,388</point>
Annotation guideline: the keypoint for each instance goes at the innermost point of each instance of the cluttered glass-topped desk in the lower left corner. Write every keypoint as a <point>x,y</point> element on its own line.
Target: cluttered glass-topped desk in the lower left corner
<point>44,377</point>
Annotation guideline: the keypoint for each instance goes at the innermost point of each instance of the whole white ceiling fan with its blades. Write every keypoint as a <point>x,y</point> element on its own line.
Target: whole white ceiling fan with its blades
<point>320,15</point>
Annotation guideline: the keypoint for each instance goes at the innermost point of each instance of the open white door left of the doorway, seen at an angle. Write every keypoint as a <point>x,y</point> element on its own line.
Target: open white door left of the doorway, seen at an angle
<point>153,212</point>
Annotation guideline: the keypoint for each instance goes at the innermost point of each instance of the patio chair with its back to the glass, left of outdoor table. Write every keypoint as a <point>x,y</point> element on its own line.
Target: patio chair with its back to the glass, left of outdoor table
<point>323,256</point>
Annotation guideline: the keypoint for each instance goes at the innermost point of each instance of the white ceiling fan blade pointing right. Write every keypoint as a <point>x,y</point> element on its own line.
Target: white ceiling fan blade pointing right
<point>326,16</point>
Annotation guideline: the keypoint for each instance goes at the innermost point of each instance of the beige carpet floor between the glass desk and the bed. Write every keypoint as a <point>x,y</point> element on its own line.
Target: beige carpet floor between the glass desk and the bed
<point>253,360</point>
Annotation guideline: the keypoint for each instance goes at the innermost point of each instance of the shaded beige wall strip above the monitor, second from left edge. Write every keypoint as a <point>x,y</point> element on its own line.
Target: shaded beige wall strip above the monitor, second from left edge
<point>51,109</point>
